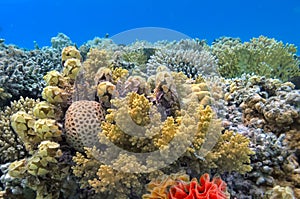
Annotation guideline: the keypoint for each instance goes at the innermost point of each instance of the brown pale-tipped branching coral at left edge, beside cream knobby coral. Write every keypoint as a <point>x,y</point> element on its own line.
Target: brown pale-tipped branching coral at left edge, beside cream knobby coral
<point>11,145</point>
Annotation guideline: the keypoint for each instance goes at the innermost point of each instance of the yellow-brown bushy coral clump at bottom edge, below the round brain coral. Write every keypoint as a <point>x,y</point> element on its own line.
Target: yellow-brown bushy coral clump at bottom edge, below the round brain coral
<point>107,180</point>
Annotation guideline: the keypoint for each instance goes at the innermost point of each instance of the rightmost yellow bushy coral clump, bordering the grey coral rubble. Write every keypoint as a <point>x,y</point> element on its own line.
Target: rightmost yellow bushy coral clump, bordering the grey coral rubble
<point>231,153</point>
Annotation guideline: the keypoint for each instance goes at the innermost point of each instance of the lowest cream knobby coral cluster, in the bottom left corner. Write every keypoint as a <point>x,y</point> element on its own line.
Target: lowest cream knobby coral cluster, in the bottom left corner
<point>43,167</point>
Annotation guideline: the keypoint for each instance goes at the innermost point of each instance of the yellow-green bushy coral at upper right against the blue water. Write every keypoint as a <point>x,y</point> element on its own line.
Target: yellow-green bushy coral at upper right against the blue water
<point>261,56</point>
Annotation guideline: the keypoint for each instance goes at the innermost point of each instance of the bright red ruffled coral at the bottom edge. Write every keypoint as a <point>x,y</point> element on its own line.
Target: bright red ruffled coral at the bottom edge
<point>216,189</point>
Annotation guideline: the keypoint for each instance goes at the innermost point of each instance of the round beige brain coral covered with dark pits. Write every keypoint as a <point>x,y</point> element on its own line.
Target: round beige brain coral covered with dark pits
<point>82,123</point>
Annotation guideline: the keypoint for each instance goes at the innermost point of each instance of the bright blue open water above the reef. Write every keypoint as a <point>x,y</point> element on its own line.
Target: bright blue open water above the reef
<point>25,21</point>
